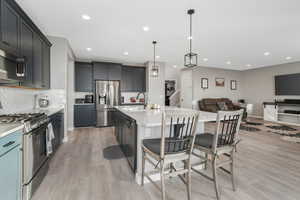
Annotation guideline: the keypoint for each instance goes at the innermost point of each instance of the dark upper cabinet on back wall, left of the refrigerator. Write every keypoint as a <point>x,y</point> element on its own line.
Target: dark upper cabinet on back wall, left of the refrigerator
<point>83,77</point>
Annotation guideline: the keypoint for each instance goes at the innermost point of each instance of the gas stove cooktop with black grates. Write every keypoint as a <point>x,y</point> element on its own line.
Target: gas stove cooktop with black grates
<point>29,120</point>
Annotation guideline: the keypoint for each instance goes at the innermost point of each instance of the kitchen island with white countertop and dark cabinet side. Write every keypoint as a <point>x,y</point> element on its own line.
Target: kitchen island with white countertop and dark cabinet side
<point>134,124</point>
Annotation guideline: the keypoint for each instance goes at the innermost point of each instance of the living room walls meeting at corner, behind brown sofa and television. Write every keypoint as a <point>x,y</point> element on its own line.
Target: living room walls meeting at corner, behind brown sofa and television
<point>255,86</point>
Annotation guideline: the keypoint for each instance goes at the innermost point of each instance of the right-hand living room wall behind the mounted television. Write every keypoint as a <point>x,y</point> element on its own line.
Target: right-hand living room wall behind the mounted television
<point>259,84</point>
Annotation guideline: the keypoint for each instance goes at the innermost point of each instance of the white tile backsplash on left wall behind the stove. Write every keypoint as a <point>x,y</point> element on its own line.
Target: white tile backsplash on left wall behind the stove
<point>15,100</point>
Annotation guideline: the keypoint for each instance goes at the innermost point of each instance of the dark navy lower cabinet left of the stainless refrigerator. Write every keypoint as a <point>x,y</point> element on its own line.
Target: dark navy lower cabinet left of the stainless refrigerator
<point>84,115</point>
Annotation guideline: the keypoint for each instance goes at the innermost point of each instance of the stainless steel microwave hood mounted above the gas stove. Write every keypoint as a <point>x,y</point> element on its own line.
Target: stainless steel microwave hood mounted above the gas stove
<point>8,68</point>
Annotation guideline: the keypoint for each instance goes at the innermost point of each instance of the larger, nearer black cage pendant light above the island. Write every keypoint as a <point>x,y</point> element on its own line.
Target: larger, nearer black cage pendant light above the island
<point>190,59</point>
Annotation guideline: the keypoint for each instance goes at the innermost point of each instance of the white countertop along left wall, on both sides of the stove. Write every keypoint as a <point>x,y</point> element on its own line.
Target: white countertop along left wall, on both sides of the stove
<point>6,129</point>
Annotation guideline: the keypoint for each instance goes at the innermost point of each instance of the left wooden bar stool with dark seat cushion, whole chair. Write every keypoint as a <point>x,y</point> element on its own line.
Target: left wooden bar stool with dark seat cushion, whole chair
<point>175,145</point>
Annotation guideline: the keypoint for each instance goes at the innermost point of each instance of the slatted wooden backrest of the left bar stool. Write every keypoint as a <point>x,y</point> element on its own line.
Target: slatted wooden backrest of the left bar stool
<point>178,131</point>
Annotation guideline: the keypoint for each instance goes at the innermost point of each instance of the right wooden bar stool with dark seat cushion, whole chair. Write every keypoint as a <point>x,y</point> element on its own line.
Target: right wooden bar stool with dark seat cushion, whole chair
<point>221,143</point>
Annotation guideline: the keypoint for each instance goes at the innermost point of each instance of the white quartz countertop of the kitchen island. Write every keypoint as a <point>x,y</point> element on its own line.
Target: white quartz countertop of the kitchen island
<point>151,118</point>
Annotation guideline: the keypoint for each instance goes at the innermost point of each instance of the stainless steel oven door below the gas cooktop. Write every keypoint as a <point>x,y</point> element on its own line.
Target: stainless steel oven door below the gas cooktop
<point>34,152</point>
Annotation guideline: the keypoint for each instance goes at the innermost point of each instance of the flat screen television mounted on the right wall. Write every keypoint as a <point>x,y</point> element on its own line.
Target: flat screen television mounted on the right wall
<point>287,84</point>
